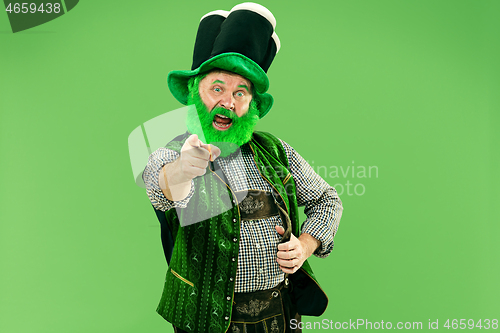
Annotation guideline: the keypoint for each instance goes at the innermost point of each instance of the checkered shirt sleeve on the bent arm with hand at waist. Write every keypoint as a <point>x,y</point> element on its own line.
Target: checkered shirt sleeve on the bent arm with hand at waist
<point>323,207</point>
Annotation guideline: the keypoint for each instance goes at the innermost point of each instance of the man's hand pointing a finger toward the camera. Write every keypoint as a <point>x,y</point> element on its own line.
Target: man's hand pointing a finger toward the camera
<point>175,178</point>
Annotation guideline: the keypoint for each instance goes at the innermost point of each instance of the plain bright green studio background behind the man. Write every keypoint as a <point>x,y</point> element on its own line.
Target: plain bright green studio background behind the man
<point>411,87</point>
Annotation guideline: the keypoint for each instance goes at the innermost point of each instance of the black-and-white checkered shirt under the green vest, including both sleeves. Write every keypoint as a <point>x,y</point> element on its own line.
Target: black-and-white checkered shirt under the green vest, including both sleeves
<point>257,266</point>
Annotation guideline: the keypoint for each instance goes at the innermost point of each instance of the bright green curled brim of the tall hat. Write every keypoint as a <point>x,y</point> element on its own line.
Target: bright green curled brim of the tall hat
<point>233,62</point>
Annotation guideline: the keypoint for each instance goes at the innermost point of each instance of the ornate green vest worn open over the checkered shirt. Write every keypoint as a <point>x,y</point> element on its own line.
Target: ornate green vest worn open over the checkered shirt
<point>199,284</point>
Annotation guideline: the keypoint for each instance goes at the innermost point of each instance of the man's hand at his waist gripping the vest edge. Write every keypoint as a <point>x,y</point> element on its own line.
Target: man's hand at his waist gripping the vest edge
<point>292,254</point>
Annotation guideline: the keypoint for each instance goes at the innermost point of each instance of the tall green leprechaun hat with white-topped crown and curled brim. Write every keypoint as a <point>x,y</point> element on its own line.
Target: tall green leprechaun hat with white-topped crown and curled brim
<point>241,41</point>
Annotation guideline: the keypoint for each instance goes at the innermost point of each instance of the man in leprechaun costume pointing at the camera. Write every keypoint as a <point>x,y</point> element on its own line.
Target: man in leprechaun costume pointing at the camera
<point>227,197</point>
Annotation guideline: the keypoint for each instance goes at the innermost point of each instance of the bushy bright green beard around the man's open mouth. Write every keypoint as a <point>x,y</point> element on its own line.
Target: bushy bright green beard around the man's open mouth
<point>199,121</point>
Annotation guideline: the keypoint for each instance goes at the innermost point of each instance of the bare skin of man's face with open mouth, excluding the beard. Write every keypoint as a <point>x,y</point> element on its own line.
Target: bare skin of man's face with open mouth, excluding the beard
<point>227,90</point>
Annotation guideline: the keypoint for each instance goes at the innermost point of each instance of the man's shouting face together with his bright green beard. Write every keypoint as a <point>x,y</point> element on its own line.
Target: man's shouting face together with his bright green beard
<point>224,113</point>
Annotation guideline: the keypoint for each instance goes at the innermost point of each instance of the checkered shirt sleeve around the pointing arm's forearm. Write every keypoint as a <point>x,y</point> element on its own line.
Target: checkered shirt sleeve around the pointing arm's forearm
<point>150,175</point>
